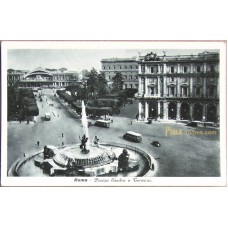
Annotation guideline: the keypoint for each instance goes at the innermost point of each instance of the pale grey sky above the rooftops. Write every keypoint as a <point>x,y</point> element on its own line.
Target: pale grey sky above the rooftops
<point>78,59</point>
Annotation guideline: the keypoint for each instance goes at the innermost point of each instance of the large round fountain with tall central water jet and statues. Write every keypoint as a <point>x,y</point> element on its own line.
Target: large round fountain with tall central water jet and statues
<point>86,159</point>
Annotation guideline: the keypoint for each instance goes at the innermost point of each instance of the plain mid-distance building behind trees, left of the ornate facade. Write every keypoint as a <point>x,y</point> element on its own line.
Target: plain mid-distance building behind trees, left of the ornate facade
<point>128,67</point>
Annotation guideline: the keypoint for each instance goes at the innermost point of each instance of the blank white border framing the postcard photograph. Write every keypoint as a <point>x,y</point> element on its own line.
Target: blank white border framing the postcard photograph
<point>155,181</point>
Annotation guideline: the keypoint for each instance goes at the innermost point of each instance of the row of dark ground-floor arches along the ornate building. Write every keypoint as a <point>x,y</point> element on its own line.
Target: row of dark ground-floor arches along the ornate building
<point>183,112</point>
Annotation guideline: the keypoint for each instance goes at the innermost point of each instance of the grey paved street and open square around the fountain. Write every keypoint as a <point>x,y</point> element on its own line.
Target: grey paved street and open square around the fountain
<point>180,154</point>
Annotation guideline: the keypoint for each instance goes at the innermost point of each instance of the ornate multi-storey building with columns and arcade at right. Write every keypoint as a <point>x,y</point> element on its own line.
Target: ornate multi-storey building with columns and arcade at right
<point>179,87</point>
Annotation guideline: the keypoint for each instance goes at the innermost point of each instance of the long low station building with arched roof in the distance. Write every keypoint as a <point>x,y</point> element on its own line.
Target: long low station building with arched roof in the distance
<point>41,78</point>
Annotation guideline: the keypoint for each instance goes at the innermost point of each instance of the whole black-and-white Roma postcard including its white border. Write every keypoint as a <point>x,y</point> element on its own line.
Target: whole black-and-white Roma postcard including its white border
<point>121,113</point>
